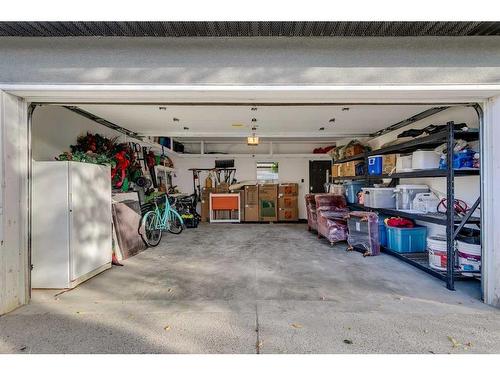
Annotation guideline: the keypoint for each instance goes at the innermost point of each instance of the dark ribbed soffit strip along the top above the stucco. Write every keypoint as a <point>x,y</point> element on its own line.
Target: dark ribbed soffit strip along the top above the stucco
<point>247,29</point>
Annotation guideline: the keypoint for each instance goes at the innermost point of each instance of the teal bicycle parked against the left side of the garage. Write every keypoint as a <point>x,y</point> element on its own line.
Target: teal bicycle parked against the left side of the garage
<point>154,222</point>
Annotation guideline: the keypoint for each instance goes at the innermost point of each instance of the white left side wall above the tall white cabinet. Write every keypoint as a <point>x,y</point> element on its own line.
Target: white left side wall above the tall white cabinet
<point>56,128</point>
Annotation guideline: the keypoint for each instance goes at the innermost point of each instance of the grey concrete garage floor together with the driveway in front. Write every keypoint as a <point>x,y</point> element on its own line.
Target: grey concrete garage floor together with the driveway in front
<point>255,289</point>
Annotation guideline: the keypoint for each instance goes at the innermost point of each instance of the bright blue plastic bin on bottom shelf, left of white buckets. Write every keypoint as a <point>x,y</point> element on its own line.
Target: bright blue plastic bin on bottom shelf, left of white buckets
<point>407,240</point>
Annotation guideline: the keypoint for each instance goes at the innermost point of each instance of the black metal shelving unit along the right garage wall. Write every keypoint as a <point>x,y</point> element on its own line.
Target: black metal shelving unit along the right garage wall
<point>453,222</point>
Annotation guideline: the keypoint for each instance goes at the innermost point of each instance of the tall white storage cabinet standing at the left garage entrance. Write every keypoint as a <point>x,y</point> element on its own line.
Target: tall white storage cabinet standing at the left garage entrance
<point>71,223</point>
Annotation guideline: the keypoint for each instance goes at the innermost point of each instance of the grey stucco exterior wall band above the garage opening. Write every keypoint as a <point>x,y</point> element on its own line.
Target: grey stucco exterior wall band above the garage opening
<point>251,61</point>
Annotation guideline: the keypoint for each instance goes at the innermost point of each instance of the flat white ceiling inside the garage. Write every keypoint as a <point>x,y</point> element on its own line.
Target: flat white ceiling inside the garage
<point>287,121</point>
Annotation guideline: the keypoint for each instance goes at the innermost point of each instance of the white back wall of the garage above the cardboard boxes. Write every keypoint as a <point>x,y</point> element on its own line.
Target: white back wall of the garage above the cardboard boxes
<point>291,169</point>
